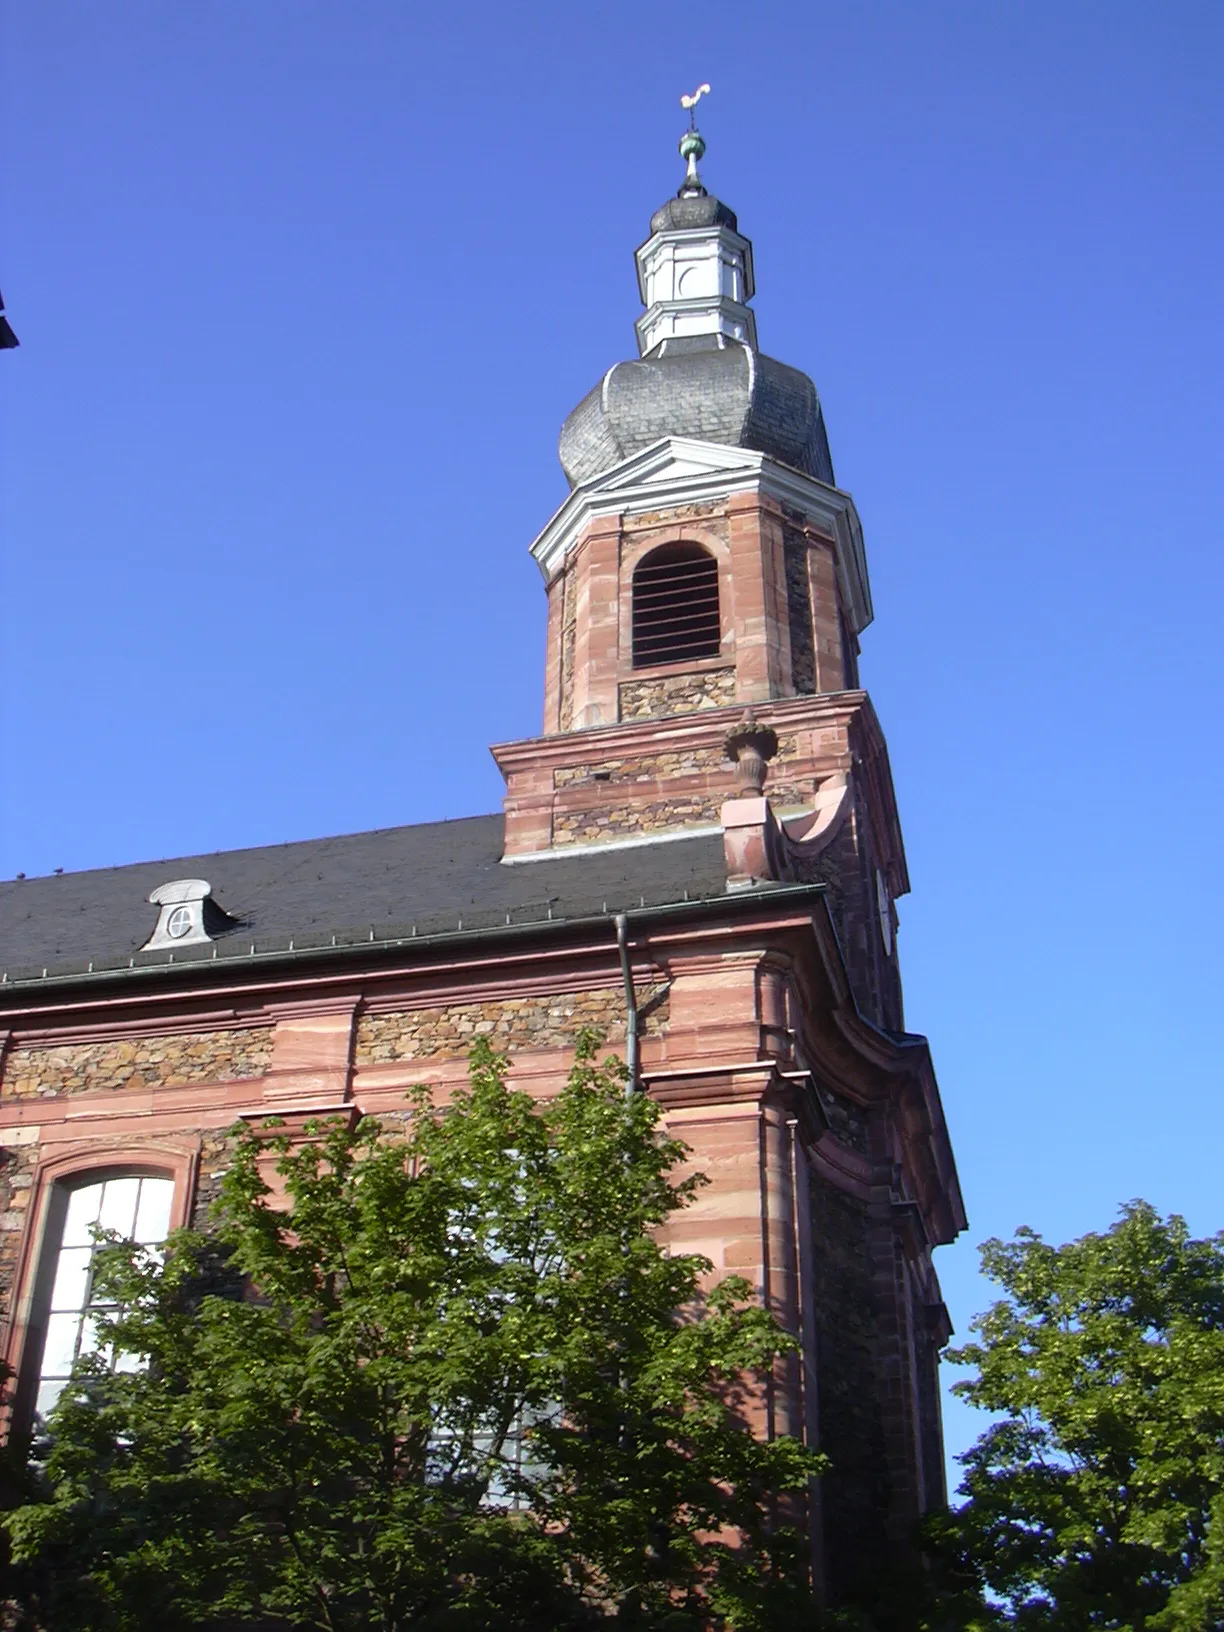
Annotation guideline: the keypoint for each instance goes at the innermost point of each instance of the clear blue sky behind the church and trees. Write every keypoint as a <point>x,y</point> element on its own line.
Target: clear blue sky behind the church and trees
<point>306,291</point>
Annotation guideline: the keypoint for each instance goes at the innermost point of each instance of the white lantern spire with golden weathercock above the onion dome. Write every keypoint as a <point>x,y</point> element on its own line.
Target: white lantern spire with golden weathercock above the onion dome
<point>696,268</point>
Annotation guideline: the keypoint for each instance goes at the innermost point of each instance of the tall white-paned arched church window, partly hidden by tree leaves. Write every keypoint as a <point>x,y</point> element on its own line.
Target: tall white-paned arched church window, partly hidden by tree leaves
<point>136,1207</point>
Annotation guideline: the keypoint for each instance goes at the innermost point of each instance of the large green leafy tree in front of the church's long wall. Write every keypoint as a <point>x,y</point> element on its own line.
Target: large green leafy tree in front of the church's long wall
<point>456,1385</point>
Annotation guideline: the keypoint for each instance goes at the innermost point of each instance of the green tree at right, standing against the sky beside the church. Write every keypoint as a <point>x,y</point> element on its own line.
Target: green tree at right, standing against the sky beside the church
<point>1098,1497</point>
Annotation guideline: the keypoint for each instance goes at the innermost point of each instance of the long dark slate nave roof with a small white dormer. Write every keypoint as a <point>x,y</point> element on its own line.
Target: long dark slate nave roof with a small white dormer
<point>432,879</point>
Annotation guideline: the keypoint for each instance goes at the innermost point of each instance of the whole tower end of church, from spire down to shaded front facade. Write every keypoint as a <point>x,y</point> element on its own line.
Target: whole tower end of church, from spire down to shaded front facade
<point>707,587</point>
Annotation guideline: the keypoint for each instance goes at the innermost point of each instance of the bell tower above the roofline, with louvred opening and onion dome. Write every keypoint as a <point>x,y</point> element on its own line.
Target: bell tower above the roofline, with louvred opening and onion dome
<point>707,564</point>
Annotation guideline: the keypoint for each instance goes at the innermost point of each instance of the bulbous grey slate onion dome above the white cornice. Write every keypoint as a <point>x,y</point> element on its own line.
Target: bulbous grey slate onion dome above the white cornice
<point>707,388</point>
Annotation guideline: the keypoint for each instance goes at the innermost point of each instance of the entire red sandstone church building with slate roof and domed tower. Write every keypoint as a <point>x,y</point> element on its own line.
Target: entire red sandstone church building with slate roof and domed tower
<point>699,854</point>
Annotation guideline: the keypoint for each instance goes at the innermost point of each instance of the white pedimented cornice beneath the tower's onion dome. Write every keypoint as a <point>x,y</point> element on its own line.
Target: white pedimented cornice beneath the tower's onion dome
<point>681,471</point>
